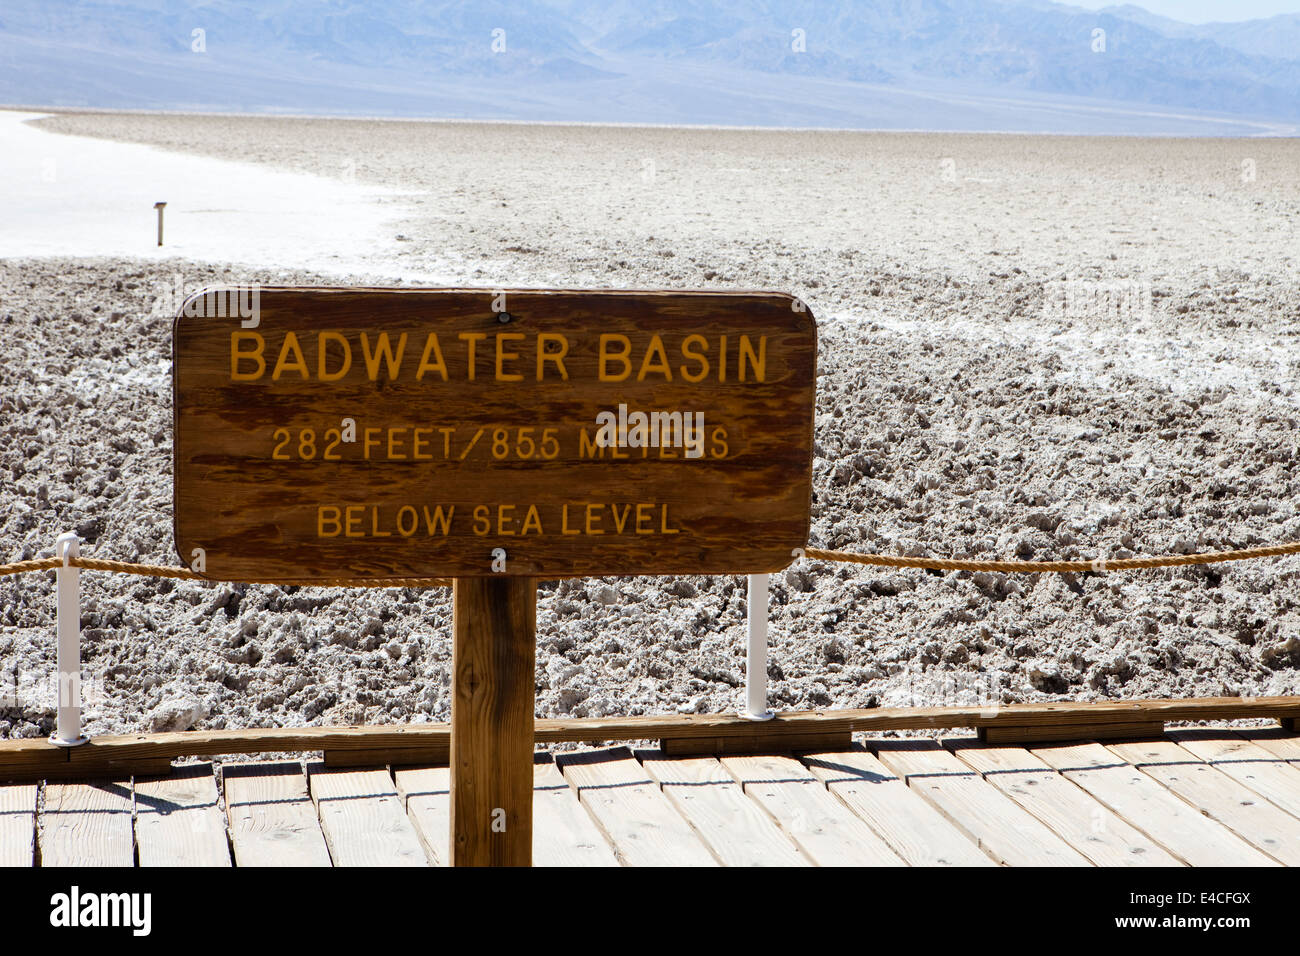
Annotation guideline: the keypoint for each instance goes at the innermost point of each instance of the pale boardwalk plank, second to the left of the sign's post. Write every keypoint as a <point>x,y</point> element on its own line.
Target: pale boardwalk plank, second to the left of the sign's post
<point>362,819</point>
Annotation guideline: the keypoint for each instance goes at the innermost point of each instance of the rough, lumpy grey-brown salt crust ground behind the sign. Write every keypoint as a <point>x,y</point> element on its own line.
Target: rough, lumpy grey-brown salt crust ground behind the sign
<point>928,442</point>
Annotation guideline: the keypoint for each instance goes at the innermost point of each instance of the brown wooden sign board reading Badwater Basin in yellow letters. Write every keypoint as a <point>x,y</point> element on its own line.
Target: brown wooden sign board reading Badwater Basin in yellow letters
<point>370,434</point>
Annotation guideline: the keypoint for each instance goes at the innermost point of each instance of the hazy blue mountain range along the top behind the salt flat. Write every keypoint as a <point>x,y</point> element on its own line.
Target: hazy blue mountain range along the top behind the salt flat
<point>931,64</point>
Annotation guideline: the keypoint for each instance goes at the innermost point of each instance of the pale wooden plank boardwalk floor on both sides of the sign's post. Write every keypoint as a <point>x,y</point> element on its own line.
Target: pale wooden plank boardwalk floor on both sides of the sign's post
<point>1190,798</point>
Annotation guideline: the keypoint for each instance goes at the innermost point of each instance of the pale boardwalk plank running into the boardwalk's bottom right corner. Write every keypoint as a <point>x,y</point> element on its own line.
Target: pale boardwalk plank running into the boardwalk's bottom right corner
<point>1219,797</point>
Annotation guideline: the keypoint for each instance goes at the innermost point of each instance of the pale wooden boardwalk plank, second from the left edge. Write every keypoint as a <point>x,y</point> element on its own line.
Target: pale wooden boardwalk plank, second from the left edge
<point>88,825</point>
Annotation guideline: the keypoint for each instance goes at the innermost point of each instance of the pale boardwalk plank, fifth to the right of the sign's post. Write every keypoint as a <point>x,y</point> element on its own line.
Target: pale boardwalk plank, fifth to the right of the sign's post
<point>912,828</point>
